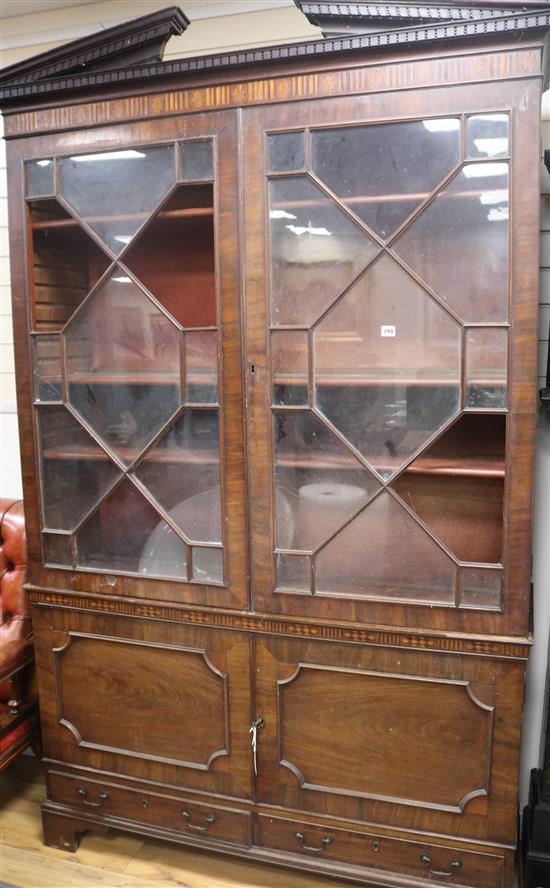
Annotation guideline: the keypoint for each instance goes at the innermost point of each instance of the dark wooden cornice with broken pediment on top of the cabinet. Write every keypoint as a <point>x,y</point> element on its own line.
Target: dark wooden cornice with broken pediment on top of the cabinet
<point>123,55</point>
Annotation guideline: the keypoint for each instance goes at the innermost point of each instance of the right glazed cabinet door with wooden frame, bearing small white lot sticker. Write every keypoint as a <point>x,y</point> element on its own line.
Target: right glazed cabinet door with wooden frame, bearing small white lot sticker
<point>382,295</point>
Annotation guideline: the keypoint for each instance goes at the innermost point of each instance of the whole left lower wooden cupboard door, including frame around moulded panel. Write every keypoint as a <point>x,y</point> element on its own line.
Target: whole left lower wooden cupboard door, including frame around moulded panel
<point>153,700</point>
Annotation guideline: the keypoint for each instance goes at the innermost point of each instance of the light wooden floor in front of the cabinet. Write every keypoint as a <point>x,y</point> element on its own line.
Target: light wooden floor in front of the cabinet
<point>117,859</point>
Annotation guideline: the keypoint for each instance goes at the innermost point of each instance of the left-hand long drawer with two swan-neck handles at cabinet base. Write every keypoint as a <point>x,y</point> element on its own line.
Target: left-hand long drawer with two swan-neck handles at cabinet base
<point>194,818</point>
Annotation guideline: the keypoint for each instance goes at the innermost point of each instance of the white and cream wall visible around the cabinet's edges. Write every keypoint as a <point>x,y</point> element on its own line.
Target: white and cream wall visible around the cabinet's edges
<point>214,28</point>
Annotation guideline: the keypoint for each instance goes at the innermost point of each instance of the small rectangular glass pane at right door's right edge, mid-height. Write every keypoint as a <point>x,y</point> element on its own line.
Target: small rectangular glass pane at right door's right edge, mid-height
<point>486,367</point>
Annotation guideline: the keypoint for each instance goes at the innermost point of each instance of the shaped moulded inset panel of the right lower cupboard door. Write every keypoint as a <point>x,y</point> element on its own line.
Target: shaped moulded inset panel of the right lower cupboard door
<point>386,724</point>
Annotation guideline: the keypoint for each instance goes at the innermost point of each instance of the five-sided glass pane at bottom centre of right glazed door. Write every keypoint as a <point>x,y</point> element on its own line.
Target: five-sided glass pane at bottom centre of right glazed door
<point>383,553</point>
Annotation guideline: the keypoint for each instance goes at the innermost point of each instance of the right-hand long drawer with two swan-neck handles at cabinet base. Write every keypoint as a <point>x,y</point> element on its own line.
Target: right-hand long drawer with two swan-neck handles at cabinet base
<point>437,864</point>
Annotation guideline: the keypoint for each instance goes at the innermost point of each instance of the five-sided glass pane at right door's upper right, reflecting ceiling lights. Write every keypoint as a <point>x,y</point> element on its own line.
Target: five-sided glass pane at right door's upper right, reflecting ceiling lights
<point>459,243</point>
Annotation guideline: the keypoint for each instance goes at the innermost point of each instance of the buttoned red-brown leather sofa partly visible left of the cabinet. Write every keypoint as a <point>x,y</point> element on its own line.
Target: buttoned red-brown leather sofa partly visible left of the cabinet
<point>18,709</point>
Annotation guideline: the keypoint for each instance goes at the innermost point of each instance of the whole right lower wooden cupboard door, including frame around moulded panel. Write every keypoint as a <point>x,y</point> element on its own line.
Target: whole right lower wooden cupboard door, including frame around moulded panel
<point>417,740</point>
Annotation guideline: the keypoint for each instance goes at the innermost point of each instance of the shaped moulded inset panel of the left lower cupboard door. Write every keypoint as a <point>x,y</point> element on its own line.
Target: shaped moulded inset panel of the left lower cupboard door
<point>134,678</point>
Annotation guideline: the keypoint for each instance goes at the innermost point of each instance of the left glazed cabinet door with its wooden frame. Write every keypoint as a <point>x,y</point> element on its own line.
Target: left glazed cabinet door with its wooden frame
<point>134,330</point>
